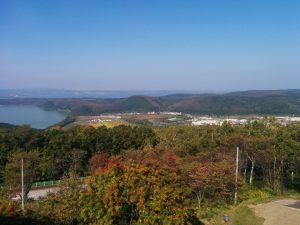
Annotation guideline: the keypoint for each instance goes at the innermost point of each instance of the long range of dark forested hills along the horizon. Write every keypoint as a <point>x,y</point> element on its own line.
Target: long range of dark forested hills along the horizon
<point>279,102</point>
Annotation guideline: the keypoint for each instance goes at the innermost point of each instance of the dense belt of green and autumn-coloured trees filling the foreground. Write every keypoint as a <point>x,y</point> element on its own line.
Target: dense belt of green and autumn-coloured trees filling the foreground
<point>140,175</point>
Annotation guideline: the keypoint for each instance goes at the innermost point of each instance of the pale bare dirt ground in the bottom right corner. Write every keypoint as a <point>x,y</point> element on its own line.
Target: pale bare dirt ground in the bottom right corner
<point>281,212</point>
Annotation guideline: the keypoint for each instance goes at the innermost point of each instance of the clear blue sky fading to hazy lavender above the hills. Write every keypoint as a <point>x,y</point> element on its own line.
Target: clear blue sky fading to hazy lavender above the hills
<point>201,45</point>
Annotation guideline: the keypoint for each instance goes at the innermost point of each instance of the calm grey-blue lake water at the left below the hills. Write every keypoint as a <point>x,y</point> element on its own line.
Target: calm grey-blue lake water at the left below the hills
<point>31,115</point>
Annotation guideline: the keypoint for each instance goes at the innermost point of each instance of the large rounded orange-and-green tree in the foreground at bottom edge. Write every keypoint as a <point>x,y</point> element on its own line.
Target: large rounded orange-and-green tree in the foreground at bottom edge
<point>136,194</point>
